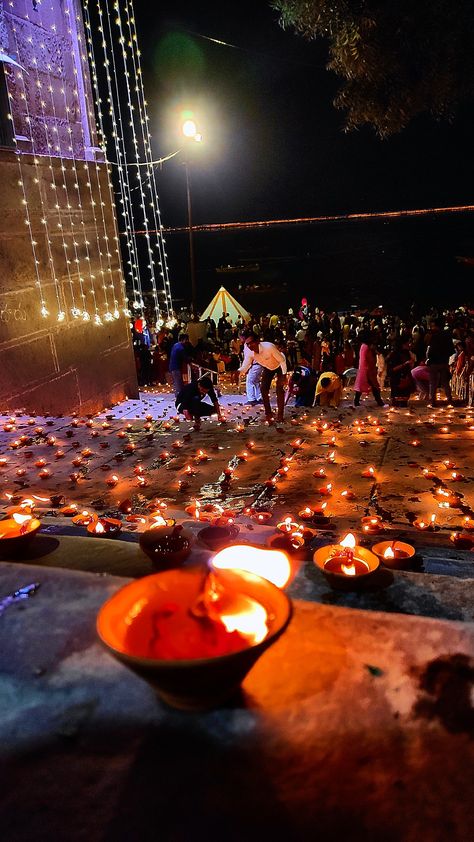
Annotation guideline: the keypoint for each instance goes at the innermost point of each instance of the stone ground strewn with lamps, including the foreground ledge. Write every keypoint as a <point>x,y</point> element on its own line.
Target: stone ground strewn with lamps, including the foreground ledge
<point>357,723</point>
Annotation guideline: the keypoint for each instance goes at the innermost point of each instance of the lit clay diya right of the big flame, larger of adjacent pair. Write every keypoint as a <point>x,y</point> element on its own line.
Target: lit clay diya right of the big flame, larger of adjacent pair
<point>345,564</point>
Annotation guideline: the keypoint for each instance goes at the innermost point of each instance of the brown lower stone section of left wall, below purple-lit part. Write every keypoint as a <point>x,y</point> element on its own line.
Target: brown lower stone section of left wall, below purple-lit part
<point>48,365</point>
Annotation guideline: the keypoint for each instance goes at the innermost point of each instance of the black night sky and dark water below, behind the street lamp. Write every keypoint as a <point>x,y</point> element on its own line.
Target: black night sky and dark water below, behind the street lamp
<point>274,147</point>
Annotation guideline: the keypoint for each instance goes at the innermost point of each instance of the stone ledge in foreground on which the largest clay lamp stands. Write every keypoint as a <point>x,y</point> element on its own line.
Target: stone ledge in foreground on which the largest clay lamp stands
<point>355,725</point>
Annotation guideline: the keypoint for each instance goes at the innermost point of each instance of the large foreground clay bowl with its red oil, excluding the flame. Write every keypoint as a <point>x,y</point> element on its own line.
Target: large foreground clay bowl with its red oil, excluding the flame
<point>127,625</point>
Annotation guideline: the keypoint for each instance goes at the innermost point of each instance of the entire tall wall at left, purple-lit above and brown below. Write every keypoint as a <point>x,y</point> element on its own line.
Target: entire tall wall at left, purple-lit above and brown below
<point>64,329</point>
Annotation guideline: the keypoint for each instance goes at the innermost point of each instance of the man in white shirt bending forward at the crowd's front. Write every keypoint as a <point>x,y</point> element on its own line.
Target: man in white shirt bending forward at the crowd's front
<point>273,362</point>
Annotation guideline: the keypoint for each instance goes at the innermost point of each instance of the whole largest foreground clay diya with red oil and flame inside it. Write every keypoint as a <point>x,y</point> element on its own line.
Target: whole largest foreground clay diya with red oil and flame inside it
<point>194,636</point>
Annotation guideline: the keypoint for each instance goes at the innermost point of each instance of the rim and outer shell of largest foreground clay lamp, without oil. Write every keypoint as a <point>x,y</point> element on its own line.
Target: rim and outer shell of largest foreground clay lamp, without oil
<point>192,684</point>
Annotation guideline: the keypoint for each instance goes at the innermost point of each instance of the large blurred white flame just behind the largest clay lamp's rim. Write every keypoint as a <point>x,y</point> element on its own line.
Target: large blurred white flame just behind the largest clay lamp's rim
<point>273,565</point>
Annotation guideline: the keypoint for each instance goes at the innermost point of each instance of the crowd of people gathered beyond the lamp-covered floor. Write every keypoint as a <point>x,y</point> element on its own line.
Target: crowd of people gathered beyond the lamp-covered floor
<point>311,355</point>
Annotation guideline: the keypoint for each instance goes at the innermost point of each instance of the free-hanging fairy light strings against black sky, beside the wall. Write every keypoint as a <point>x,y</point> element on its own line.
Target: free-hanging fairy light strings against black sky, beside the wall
<point>115,67</point>
